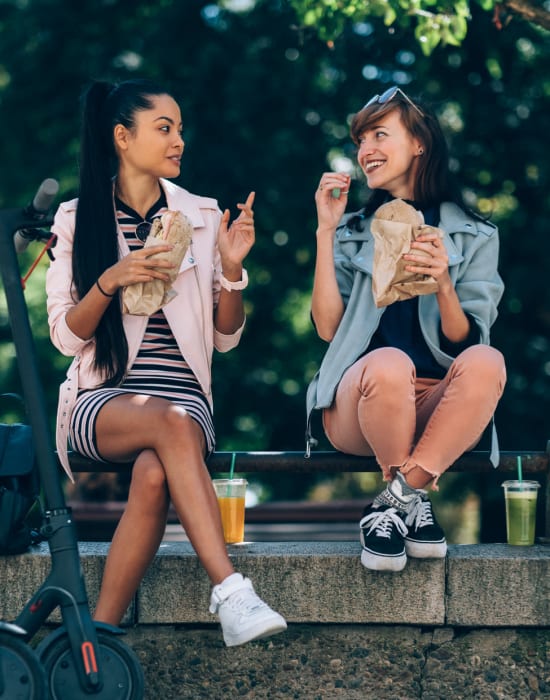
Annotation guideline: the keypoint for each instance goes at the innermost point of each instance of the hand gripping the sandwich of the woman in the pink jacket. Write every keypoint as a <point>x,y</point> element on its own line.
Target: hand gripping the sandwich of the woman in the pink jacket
<point>138,266</point>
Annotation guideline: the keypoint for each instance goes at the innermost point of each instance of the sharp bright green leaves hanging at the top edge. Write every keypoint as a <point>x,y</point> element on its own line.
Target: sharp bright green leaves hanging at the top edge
<point>435,22</point>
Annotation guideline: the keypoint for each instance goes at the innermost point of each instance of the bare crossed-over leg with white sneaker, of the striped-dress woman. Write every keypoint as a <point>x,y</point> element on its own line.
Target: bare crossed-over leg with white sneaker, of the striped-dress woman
<point>129,424</point>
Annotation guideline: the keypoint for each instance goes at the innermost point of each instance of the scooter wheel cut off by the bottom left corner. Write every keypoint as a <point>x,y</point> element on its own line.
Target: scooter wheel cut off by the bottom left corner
<point>22,676</point>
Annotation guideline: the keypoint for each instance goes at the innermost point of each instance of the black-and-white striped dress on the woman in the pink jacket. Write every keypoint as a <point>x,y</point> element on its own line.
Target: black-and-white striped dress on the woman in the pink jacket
<point>159,368</point>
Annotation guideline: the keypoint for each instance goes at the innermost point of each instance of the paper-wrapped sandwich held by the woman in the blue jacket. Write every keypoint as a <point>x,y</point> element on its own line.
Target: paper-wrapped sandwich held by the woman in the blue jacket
<point>395,226</point>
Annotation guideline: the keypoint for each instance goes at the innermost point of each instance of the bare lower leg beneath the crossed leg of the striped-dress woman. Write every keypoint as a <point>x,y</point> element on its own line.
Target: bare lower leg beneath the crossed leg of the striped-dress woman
<point>136,539</point>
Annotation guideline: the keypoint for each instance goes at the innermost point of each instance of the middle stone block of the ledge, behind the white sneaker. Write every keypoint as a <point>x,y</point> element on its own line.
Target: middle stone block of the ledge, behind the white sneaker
<point>305,581</point>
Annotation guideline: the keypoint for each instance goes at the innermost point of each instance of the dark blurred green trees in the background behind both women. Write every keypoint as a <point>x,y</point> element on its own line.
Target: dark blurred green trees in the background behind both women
<point>266,107</point>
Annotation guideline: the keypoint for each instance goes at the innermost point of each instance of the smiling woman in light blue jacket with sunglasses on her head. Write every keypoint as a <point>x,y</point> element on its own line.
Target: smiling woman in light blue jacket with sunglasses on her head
<point>414,383</point>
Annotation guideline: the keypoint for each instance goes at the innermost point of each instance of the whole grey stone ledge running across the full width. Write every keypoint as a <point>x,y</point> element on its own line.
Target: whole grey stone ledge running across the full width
<point>322,582</point>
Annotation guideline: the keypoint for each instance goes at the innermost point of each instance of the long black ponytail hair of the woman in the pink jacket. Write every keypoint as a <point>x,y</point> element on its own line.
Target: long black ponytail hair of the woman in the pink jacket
<point>95,245</point>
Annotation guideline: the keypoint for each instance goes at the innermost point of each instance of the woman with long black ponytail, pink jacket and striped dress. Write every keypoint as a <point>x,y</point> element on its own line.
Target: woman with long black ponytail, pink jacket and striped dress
<point>139,388</point>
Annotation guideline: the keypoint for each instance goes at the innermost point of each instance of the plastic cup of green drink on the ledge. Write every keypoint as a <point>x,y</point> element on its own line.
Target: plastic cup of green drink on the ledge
<point>521,509</point>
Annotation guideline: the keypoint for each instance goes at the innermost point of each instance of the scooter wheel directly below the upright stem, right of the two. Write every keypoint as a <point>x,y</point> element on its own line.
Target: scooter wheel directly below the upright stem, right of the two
<point>120,669</point>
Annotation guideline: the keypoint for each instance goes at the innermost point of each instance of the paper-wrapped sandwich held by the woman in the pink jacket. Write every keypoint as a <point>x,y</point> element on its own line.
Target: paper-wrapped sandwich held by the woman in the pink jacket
<point>145,298</point>
